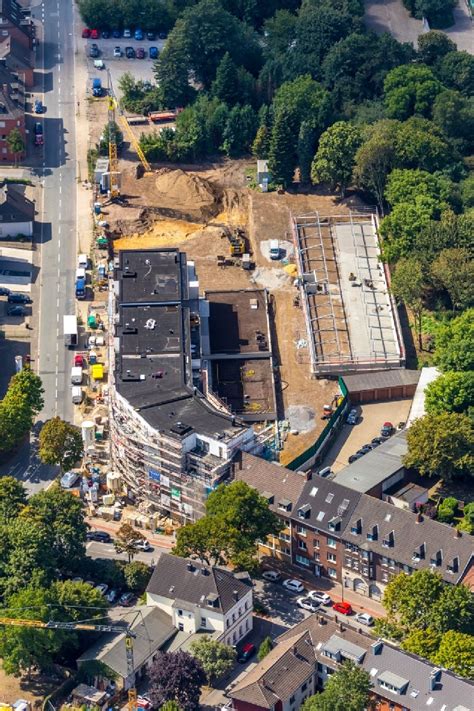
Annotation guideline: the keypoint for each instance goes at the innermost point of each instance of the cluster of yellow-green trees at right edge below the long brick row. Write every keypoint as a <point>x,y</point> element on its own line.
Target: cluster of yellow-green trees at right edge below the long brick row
<point>431,618</point>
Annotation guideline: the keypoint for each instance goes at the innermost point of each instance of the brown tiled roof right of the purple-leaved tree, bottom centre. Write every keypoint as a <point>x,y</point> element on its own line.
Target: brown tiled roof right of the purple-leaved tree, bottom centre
<point>279,674</point>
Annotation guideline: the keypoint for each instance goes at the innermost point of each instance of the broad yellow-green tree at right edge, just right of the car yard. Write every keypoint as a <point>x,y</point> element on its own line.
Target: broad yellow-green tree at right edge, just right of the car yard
<point>441,445</point>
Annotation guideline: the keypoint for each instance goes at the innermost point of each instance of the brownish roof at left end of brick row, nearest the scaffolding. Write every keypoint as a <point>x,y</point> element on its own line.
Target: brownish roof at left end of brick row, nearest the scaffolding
<point>269,478</point>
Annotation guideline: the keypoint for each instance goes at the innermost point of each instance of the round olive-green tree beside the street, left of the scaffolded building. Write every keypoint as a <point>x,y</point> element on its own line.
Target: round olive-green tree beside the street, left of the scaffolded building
<point>60,443</point>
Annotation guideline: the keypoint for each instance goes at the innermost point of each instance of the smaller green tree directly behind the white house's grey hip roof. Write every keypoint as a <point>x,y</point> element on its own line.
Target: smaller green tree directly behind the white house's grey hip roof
<point>206,539</point>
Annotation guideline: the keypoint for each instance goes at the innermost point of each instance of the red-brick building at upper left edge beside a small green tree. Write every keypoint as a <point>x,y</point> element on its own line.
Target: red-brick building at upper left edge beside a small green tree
<point>12,111</point>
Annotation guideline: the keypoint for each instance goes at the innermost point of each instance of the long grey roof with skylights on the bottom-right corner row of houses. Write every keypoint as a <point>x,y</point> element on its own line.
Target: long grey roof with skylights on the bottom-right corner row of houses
<point>441,692</point>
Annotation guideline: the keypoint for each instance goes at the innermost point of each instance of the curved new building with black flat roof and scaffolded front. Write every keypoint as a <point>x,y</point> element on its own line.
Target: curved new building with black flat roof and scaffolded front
<point>169,444</point>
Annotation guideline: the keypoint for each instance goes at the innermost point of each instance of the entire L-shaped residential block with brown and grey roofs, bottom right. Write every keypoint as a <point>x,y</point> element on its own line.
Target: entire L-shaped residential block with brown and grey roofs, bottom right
<point>306,655</point>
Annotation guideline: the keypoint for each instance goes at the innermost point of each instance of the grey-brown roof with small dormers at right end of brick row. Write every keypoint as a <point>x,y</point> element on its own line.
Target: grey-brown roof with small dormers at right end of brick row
<point>408,534</point>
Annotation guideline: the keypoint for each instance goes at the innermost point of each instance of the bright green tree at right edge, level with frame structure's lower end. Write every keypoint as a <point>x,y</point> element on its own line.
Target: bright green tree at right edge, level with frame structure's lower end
<point>455,343</point>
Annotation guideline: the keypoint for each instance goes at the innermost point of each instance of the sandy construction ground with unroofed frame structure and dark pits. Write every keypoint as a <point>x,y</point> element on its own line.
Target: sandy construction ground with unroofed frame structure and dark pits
<point>328,304</point>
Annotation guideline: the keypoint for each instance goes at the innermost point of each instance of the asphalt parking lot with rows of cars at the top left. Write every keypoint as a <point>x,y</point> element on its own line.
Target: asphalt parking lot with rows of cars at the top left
<point>139,68</point>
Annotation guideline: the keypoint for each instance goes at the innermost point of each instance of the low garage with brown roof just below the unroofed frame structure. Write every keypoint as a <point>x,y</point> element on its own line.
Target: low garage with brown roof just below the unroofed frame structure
<point>383,385</point>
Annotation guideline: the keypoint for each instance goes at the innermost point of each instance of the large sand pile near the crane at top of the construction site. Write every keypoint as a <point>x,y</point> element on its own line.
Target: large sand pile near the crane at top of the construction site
<point>186,194</point>
